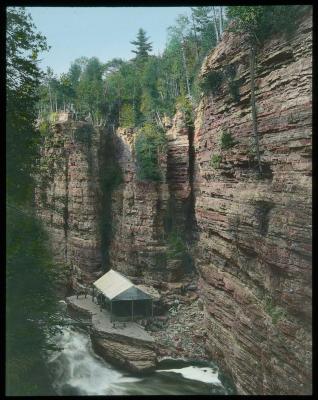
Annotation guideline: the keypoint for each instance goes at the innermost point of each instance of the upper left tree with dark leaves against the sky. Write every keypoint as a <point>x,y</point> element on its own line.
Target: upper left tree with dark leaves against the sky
<point>22,80</point>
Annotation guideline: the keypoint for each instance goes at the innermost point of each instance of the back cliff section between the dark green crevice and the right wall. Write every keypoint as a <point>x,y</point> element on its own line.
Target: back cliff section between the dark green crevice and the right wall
<point>143,212</point>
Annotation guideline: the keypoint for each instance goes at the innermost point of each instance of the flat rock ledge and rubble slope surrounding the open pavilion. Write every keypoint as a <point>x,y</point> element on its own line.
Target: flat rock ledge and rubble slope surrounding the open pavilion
<point>137,346</point>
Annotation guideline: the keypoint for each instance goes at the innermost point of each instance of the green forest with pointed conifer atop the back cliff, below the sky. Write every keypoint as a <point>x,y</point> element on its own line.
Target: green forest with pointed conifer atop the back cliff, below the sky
<point>144,88</point>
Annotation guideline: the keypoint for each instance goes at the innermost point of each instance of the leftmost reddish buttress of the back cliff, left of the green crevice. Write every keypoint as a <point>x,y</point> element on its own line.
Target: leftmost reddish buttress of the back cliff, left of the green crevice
<point>68,201</point>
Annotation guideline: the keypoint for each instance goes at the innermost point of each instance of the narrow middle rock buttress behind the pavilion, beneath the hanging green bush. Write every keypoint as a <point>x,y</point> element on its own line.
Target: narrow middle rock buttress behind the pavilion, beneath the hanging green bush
<point>137,248</point>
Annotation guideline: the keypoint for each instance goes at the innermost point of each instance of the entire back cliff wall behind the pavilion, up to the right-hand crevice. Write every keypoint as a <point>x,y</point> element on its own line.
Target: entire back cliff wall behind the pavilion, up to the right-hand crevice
<point>100,215</point>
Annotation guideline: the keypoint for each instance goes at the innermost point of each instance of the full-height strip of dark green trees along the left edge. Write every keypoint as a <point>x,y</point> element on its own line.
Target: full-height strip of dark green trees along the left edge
<point>30,301</point>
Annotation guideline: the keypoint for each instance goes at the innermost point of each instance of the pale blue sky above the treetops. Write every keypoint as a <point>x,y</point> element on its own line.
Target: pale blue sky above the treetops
<point>103,32</point>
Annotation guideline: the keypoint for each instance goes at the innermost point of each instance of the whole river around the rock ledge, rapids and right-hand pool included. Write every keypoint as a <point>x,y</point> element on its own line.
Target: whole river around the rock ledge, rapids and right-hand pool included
<point>76,370</point>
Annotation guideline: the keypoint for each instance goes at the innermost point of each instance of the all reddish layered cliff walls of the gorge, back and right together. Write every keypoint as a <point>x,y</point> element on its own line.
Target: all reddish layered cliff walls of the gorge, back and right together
<point>247,236</point>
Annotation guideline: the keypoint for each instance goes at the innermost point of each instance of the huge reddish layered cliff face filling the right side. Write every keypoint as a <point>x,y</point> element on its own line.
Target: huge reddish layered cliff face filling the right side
<point>254,249</point>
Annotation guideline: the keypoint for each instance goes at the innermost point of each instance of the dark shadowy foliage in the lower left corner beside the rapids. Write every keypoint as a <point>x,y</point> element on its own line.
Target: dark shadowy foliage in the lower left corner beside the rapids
<point>30,300</point>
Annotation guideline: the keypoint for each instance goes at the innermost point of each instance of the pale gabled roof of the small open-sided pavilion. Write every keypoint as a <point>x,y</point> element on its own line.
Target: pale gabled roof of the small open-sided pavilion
<point>114,285</point>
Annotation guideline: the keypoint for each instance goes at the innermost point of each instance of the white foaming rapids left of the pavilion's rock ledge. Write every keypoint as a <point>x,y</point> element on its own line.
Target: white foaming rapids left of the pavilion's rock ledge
<point>76,367</point>
